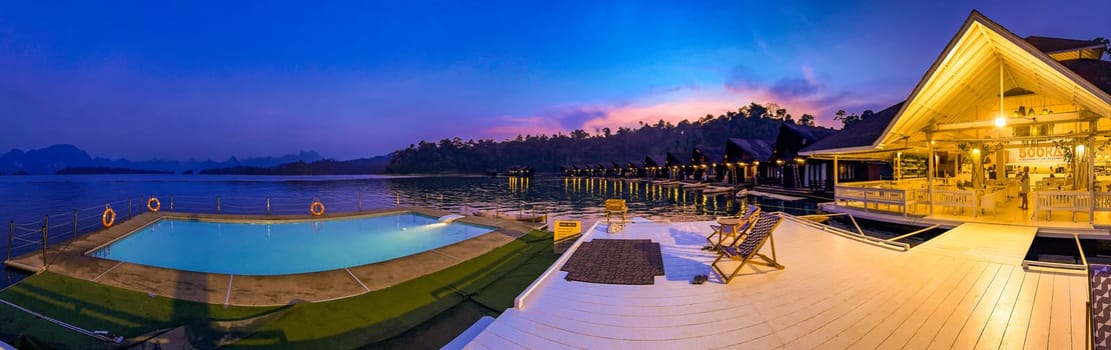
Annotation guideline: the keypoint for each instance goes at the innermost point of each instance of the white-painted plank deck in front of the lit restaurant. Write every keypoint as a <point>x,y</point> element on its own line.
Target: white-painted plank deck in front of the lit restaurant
<point>963,291</point>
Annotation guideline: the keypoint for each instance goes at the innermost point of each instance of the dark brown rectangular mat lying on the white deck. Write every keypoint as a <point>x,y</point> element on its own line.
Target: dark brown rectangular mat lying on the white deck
<point>616,262</point>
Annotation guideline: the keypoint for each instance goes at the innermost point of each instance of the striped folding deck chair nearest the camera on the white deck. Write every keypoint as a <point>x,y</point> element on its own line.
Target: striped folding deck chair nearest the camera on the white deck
<point>749,246</point>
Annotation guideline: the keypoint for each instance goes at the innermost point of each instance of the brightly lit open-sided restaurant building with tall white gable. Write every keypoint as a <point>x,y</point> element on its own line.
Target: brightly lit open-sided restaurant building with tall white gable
<point>992,106</point>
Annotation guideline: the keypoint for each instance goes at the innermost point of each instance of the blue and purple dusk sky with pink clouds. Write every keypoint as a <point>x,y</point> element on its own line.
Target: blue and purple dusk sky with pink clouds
<point>357,79</point>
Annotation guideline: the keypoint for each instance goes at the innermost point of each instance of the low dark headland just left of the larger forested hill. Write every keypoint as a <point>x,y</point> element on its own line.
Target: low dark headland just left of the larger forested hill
<point>363,166</point>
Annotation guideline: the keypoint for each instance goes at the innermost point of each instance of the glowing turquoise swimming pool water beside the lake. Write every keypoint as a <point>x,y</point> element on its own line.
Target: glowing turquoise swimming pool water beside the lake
<point>286,248</point>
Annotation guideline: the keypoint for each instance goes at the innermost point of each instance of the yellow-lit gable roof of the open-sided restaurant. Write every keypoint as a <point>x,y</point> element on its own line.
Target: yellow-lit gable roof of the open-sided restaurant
<point>967,73</point>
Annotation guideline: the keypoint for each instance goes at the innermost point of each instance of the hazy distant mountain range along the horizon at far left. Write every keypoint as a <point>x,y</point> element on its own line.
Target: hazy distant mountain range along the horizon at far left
<point>52,159</point>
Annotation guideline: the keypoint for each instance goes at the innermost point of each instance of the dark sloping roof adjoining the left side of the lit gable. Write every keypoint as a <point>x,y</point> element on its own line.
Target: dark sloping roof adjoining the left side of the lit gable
<point>859,135</point>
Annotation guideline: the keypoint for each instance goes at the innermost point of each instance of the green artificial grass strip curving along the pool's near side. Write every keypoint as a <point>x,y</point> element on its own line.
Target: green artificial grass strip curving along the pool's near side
<point>425,313</point>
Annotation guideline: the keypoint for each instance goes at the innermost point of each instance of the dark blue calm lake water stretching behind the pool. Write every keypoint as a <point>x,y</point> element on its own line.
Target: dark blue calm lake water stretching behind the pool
<point>31,202</point>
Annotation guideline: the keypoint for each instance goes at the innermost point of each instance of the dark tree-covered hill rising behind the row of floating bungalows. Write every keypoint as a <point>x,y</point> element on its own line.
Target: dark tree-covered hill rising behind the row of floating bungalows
<point>548,154</point>
